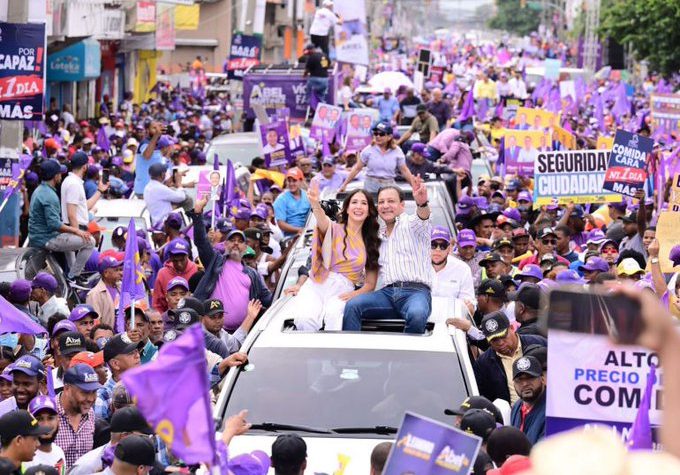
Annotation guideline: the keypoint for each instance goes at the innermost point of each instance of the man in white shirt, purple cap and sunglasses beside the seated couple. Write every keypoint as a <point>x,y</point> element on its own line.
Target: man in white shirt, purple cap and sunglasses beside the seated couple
<point>453,277</point>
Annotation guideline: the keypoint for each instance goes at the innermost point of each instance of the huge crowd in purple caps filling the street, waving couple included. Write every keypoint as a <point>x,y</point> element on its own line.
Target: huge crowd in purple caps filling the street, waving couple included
<point>63,406</point>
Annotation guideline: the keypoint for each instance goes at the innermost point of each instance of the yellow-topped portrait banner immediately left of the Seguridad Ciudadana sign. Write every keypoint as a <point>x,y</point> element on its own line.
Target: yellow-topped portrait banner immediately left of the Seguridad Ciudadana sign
<point>521,148</point>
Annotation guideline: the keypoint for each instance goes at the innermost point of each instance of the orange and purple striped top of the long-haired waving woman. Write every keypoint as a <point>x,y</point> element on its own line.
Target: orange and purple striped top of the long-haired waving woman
<point>348,255</point>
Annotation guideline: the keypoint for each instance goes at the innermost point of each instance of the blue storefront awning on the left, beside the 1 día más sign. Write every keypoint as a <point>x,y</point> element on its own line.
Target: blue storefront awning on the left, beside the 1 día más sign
<point>77,62</point>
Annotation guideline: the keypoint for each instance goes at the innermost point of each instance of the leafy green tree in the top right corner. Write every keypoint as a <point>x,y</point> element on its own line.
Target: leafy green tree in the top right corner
<point>650,26</point>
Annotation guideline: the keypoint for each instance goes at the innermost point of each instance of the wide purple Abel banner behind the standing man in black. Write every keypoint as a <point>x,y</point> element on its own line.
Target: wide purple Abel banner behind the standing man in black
<point>278,90</point>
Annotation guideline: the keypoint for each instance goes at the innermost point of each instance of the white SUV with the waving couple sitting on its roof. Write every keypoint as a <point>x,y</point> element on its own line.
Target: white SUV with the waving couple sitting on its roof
<point>344,392</point>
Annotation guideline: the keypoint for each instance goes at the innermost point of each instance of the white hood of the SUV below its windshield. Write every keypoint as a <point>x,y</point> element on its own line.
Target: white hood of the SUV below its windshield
<point>324,454</point>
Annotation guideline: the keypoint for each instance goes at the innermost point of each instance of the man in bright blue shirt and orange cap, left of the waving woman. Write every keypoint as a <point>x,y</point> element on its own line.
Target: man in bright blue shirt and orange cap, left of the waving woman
<point>292,206</point>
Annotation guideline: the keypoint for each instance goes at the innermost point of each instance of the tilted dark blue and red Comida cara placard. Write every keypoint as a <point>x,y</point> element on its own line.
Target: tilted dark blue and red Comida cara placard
<point>627,169</point>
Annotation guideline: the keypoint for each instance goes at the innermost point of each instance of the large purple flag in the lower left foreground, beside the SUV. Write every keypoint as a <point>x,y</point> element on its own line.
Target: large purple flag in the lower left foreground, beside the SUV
<point>173,395</point>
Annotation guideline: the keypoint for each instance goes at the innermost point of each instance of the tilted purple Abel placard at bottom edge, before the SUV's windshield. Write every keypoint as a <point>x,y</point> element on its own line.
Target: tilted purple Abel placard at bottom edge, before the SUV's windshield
<point>427,447</point>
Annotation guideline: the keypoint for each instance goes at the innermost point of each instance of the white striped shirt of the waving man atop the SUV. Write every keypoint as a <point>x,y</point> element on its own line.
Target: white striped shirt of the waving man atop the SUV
<point>405,254</point>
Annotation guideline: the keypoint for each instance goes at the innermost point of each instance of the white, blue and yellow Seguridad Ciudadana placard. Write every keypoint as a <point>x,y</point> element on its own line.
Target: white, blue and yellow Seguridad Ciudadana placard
<point>563,177</point>
